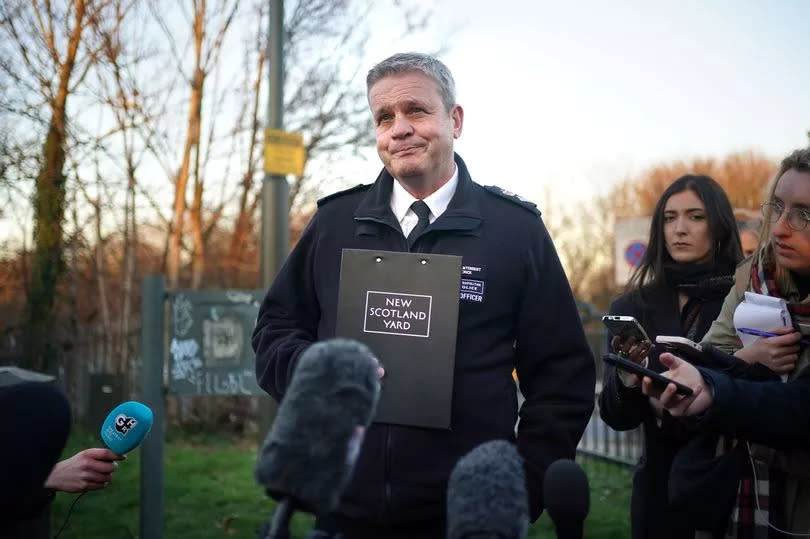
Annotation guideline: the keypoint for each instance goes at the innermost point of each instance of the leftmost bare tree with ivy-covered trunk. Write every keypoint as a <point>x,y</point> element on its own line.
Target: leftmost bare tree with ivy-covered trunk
<point>50,58</point>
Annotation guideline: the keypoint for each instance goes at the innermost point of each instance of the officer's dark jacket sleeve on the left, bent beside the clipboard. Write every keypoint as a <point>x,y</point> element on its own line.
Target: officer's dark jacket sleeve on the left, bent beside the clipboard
<point>288,317</point>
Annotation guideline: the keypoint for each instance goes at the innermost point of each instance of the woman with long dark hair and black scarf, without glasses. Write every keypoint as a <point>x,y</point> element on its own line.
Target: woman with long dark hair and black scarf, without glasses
<point>677,290</point>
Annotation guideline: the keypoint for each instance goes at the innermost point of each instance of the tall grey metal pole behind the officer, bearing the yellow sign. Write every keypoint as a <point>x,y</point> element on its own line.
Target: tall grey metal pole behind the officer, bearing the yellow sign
<point>275,190</point>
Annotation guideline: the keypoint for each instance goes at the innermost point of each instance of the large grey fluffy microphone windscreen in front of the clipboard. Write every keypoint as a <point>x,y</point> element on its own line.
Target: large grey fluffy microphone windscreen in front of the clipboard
<point>309,453</point>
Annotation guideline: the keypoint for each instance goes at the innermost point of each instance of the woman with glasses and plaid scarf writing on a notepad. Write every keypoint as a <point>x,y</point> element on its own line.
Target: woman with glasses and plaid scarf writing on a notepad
<point>780,268</point>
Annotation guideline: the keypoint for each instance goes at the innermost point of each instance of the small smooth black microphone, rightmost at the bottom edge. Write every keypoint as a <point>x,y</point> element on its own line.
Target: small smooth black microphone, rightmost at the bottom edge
<point>567,497</point>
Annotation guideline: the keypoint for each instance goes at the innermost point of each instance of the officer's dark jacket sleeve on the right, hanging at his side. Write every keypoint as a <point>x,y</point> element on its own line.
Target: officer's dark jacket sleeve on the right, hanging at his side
<point>555,368</point>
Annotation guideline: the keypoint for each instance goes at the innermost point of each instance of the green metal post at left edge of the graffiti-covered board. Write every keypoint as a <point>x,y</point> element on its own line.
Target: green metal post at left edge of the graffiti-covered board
<point>152,348</point>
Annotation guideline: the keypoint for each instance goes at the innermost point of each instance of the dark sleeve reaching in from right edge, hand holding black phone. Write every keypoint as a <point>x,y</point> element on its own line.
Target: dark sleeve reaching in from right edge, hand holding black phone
<point>772,413</point>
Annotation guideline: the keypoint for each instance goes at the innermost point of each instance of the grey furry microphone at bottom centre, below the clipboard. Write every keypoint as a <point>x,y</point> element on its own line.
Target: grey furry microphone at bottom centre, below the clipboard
<point>486,494</point>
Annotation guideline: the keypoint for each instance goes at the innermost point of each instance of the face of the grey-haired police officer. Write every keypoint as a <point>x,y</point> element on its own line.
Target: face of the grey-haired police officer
<point>414,129</point>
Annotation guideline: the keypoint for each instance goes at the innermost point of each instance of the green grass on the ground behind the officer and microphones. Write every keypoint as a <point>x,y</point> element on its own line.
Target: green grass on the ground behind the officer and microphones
<point>209,492</point>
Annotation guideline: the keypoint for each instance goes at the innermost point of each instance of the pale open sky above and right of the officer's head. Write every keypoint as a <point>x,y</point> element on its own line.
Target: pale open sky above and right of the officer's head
<point>570,97</point>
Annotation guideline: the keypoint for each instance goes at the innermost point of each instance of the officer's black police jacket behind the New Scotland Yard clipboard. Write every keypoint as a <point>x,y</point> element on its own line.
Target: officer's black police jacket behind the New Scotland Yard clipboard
<point>526,319</point>
